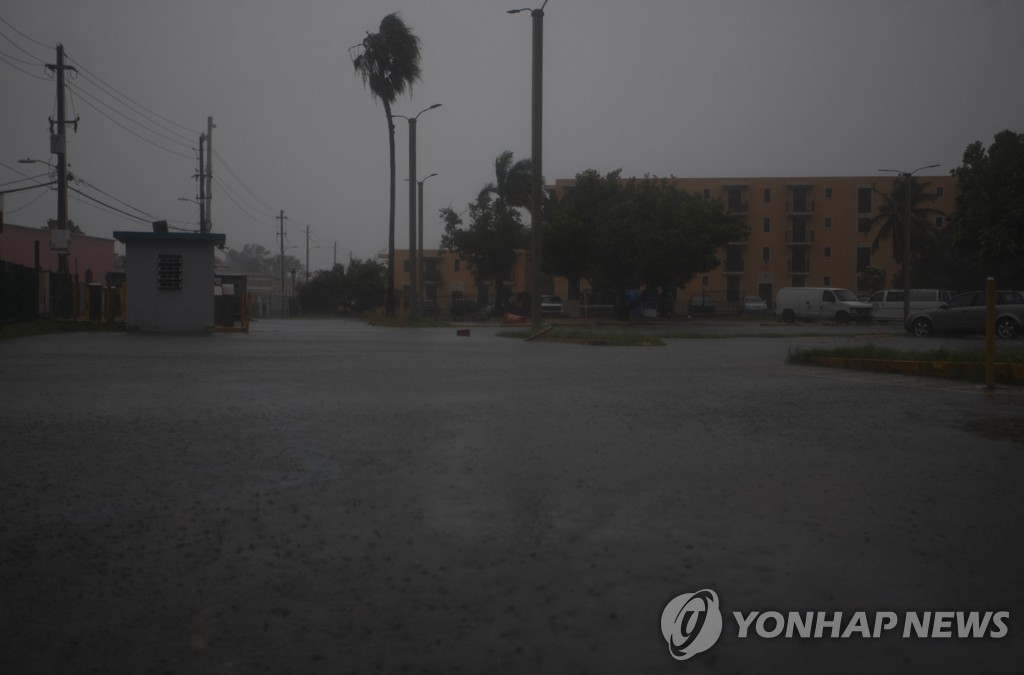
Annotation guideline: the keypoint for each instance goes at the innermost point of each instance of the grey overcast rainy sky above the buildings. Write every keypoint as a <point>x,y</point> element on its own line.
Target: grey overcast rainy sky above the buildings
<point>723,89</point>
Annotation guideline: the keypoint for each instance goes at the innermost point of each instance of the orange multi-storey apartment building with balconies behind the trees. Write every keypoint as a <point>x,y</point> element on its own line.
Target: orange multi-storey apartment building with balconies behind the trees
<point>803,232</point>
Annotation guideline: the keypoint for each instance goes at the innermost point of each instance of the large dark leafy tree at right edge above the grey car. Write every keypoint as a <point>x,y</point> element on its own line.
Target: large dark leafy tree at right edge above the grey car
<point>988,228</point>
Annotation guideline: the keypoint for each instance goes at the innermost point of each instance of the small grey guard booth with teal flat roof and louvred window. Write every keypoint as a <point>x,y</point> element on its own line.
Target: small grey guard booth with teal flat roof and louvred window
<point>169,281</point>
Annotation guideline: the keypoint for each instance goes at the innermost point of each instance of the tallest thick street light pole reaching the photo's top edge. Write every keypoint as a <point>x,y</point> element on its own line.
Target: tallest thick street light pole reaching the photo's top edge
<point>537,182</point>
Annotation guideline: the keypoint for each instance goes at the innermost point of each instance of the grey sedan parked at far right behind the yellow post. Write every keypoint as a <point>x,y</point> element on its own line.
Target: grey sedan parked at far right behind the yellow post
<point>966,314</point>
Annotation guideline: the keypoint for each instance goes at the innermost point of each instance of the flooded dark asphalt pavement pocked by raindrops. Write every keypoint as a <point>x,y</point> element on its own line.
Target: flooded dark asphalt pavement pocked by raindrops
<point>329,497</point>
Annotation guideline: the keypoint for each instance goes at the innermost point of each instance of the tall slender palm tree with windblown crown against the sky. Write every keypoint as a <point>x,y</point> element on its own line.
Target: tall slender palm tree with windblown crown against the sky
<point>390,63</point>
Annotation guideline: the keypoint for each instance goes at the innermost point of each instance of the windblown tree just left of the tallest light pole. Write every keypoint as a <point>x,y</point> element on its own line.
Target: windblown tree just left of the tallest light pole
<point>492,241</point>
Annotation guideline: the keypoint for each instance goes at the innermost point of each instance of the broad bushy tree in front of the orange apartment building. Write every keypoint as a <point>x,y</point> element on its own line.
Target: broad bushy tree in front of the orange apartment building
<point>637,234</point>
